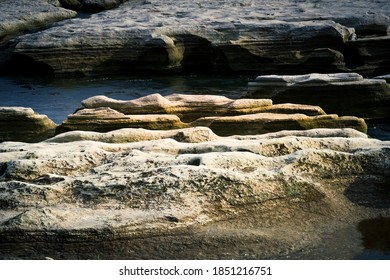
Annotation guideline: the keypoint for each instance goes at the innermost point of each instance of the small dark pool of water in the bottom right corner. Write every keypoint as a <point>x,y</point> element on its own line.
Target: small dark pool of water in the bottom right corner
<point>375,239</point>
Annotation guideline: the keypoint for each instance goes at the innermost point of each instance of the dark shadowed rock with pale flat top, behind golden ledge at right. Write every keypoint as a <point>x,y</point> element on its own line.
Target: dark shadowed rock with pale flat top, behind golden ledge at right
<point>341,93</point>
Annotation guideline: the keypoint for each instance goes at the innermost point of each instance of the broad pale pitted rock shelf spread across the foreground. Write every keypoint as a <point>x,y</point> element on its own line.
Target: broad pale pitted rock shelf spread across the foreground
<point>87,190</point>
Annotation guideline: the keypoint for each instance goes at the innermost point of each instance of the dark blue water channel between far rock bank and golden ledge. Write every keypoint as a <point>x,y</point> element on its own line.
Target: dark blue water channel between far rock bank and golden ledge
<point>57,98</point>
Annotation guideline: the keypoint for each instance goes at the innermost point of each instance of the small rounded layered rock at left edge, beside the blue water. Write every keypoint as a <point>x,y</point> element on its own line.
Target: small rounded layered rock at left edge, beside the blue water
<point>23,124</point>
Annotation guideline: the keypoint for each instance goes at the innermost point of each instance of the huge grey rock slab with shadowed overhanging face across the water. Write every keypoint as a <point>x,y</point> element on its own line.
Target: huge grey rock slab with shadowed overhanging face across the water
<point>188,37</point>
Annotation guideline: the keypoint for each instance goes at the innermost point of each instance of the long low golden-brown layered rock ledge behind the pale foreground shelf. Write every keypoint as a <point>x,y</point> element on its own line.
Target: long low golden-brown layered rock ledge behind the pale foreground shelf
<point>223,115</point>
